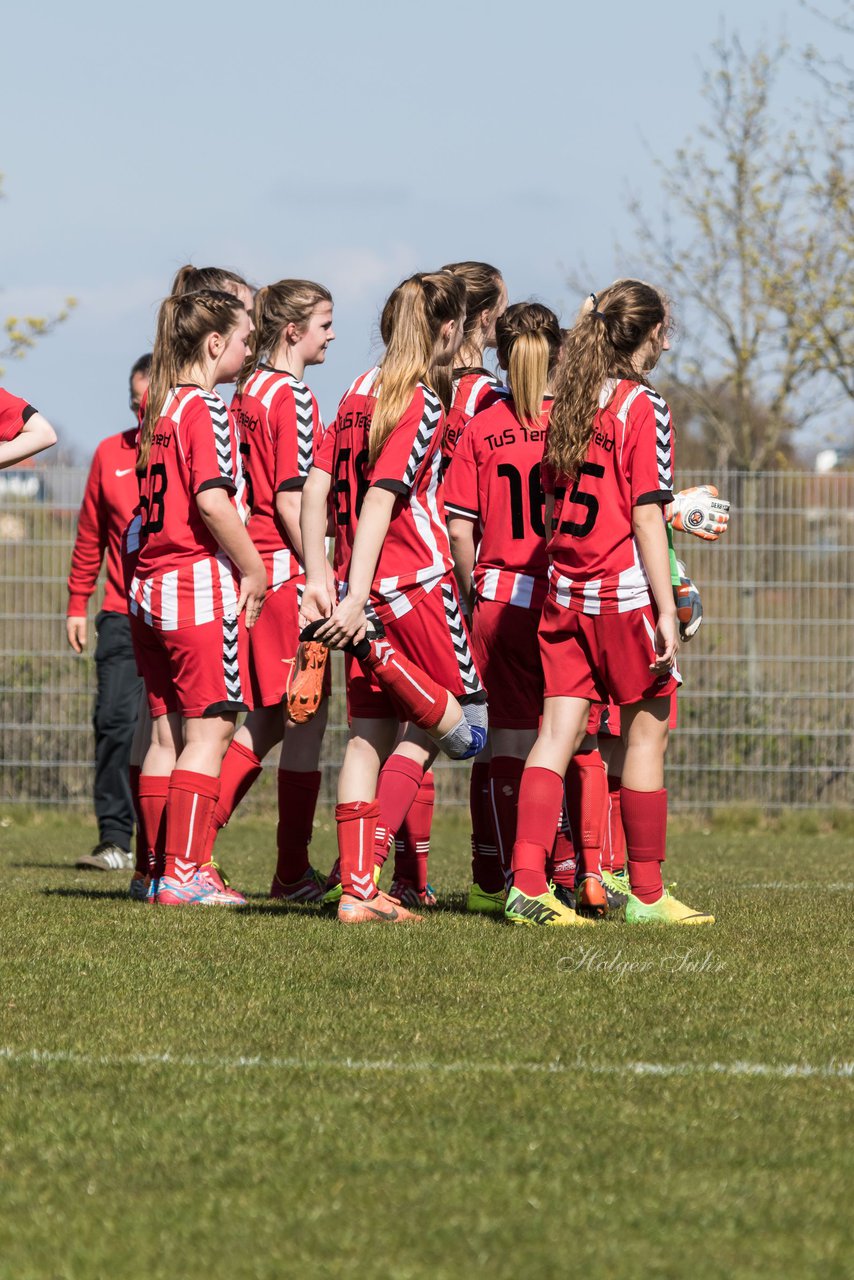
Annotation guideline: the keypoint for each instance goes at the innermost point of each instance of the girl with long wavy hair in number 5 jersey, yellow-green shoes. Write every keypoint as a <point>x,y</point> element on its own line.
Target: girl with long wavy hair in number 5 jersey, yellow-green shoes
<point>609,629</point>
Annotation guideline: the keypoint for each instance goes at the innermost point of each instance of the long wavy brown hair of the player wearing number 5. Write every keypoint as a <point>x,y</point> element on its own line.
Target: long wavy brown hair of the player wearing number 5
<point>611,328</point>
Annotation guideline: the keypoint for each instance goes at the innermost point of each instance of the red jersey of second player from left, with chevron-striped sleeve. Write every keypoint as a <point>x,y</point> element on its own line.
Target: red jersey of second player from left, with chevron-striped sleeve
<point>280,427</point>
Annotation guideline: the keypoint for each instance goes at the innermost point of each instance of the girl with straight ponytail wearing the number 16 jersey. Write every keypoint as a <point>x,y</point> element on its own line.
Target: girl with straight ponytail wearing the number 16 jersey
<point>494,492</point>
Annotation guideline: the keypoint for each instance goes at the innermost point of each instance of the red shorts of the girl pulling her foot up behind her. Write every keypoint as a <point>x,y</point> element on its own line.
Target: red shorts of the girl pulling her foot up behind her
<point>435,637</point>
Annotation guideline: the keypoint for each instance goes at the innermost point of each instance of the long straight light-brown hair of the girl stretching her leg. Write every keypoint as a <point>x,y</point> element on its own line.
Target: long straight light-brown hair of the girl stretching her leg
<point>412,324</point>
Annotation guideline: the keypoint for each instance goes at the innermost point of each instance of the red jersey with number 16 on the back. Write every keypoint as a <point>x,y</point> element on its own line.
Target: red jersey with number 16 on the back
<point>495,481</point>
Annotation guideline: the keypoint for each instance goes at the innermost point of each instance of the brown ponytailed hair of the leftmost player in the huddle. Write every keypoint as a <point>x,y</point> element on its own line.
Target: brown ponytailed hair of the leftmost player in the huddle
<point>185,322</point>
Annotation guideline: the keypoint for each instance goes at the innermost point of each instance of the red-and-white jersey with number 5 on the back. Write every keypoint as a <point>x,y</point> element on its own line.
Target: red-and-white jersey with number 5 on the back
<point>596,561</point>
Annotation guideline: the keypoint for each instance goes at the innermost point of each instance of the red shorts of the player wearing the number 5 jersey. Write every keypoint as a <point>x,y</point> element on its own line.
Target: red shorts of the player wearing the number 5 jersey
<point>604,657</point>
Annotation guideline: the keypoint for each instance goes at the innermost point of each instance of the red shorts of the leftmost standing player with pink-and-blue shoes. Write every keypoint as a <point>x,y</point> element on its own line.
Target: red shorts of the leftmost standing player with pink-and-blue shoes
<point>198,671</point>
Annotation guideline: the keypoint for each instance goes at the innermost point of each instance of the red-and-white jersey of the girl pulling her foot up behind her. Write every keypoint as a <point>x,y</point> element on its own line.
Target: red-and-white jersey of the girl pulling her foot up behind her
<point>415,554</point>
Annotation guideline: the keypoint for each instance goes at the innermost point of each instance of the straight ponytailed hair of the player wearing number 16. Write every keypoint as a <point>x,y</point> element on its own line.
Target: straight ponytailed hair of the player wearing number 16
<point>529,345</point>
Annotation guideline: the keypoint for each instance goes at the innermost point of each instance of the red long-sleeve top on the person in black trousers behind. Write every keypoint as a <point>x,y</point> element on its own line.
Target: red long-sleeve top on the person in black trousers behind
<point>111,500</point>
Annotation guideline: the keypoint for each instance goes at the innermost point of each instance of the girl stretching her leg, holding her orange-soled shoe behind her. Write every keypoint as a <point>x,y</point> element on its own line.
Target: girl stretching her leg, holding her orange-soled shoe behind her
<point>399,616</point>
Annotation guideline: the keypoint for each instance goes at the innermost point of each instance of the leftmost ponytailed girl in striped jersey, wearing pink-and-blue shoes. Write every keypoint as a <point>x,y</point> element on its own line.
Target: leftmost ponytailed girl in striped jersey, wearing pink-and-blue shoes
<point>198,584</point>
